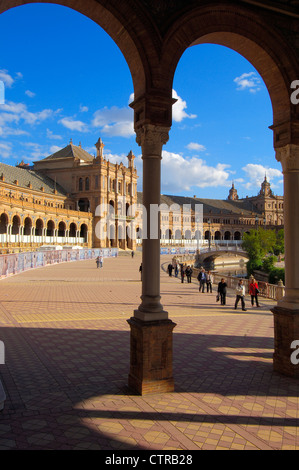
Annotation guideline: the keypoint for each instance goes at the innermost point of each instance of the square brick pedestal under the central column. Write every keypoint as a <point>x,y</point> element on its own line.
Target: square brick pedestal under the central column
<point>151,356</point>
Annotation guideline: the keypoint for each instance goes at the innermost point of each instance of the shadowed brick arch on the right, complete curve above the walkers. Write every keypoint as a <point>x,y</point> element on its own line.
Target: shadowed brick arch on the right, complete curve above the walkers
<point>247,33</point>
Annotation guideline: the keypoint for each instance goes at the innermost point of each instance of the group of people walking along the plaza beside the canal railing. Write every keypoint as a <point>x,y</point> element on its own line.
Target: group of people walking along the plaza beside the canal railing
<point>206,280</point>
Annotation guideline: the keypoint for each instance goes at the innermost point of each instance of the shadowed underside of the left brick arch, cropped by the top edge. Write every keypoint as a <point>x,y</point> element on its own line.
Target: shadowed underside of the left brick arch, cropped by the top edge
<point>118,24</point>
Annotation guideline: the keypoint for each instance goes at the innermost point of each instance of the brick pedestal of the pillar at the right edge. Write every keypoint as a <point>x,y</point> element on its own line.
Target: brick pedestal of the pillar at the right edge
<point>286,330</point>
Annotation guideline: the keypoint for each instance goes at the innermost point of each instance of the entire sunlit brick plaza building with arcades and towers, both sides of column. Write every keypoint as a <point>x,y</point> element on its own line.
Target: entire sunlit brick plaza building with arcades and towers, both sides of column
<point>74,198</point>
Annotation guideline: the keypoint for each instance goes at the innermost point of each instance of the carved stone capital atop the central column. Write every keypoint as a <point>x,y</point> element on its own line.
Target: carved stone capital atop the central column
<point>152,138</point>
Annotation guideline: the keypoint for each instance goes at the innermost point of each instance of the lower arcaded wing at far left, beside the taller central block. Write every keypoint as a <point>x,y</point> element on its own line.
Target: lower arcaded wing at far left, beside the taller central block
<point>35,210</point>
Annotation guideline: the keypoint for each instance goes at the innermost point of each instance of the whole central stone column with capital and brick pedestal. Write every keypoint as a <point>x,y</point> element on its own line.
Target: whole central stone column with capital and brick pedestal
<point>151,330</point>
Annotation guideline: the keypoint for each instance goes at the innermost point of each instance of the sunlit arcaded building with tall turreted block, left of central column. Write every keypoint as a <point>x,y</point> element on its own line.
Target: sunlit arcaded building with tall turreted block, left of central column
<point>64,199</point>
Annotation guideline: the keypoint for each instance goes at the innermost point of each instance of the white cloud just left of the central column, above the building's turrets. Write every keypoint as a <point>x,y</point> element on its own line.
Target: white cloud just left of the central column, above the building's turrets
<point>114,121</point>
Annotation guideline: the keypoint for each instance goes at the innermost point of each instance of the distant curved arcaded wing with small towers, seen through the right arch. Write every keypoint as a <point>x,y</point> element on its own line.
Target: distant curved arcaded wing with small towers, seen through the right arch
<point>216,220</point>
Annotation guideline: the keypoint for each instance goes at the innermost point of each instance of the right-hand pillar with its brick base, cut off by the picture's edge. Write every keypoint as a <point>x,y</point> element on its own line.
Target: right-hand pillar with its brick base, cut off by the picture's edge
<point>286,313</point>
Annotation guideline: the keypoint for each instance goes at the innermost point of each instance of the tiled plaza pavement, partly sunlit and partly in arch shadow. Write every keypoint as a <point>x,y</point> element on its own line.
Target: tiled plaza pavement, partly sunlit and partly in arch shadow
<point>67,358</point>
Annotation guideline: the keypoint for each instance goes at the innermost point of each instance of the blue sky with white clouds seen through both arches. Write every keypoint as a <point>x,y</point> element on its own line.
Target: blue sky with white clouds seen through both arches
<point>70,81</point>
